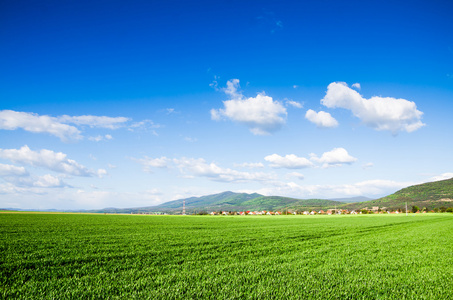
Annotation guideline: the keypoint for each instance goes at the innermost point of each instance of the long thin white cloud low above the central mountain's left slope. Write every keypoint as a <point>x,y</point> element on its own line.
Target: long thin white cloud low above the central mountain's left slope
<point>199,167</point>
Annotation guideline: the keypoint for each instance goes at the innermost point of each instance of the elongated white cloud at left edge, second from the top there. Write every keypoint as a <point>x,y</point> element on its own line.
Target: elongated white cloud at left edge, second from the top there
<point>55,161</point>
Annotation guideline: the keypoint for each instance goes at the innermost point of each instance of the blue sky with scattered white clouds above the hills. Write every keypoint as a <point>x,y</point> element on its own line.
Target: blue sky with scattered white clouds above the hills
<point>125,104</point>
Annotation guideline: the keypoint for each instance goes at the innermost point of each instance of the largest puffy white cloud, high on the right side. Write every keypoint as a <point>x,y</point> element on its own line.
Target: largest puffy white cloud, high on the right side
<point>380,113</point>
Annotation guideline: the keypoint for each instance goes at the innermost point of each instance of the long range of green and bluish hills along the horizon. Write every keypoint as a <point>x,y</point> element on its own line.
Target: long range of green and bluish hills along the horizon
<point>430,195</point>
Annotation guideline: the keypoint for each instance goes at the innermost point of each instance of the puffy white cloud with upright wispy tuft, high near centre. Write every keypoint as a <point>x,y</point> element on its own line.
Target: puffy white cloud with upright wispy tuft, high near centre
<point>261,114</point>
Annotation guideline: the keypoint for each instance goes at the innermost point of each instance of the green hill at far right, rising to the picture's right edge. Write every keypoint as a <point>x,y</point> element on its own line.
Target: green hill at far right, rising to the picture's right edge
<point>431,195</point>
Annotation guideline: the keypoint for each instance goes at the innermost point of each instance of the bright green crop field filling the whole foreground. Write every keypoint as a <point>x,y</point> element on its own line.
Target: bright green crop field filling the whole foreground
<point>64,256</point>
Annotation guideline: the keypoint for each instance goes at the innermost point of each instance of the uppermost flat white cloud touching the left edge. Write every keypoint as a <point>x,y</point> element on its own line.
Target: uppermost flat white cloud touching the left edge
<point>12,120</point>
